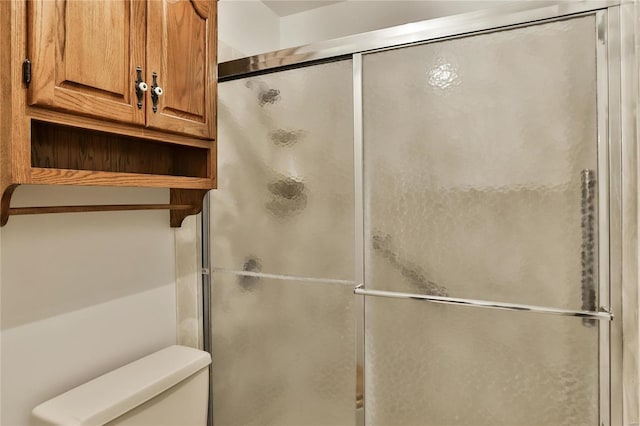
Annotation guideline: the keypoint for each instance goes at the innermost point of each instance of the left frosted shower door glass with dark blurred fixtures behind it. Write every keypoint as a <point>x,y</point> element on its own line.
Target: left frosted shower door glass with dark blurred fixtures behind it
<point>283,316</point>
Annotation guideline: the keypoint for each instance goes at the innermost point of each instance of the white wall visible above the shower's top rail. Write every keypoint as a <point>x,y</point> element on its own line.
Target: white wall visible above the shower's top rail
<point>248,27</point>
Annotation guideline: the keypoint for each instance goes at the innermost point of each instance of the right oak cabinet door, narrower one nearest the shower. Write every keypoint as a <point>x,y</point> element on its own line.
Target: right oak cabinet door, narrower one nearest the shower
<point>181,52</point>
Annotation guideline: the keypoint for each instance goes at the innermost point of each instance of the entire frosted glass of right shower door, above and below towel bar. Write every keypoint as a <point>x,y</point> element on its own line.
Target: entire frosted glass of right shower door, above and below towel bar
<point>480,156</point>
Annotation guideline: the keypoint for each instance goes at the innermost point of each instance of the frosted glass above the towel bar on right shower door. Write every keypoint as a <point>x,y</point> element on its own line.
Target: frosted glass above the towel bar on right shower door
<point>474,149</point>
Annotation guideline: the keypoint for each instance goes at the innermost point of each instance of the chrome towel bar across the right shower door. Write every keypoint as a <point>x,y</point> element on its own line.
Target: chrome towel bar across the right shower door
<point>603,315</point>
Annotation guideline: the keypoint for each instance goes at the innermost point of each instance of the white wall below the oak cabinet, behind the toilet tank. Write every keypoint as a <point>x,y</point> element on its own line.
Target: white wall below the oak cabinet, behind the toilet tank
<point>81,294</point>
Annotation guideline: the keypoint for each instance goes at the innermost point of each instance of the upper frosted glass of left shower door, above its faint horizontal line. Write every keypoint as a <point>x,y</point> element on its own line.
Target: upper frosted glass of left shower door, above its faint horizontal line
<point>284,203</point>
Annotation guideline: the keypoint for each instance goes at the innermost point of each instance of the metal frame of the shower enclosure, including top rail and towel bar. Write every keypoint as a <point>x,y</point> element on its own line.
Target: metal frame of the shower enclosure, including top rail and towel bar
<point>617,170</point>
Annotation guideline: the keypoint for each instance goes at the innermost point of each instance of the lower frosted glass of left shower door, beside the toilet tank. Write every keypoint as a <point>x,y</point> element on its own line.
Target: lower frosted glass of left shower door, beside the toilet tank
<point>283,352</point>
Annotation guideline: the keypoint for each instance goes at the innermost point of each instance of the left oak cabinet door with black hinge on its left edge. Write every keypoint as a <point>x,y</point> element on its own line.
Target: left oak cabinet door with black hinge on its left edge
<point>84,56</point>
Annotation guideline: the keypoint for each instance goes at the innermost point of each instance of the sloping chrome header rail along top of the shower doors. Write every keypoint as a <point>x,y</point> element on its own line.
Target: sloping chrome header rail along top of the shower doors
<point>484,20</point>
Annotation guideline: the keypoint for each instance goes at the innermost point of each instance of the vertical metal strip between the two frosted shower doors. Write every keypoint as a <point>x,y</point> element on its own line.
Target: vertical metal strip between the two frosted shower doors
<point>358,178</point>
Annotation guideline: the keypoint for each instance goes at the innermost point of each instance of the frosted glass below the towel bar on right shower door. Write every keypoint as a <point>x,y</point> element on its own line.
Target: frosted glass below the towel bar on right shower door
<point>436,365</point>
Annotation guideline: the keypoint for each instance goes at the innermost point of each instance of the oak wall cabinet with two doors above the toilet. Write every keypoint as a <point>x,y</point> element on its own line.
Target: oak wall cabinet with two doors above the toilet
<point>115,93</point>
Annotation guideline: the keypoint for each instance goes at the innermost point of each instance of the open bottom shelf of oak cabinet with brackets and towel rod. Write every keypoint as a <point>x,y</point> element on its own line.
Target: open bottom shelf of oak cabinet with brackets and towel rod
<point>66,155</point>
